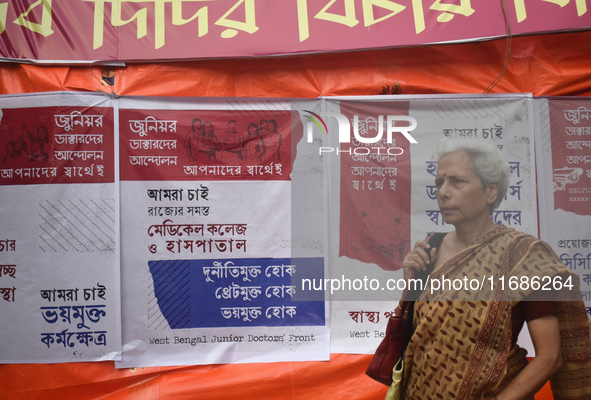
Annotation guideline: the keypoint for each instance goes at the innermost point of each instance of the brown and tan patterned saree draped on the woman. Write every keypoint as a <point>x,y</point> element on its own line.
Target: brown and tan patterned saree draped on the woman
<point>461,348</point>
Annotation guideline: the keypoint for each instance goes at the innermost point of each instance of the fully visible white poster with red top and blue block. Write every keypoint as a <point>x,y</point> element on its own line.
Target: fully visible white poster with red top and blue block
<point>206,235</point>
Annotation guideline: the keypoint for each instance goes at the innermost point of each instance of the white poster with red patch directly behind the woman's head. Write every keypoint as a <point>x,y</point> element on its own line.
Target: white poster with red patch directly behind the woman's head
<point>383,196</point>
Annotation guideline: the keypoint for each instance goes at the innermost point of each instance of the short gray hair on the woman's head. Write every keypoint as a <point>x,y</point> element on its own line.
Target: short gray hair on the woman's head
<point>488,162</point>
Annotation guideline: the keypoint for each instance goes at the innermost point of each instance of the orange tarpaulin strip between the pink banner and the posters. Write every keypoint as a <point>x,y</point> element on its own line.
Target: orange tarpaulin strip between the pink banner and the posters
<point>545,65</point>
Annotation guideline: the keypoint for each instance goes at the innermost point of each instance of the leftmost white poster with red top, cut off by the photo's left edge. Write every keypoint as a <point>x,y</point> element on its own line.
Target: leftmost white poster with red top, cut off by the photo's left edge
<point>59,229</point>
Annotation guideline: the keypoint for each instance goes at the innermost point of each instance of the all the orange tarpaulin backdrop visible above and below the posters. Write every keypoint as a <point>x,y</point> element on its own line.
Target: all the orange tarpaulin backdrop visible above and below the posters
<point>545,65</point>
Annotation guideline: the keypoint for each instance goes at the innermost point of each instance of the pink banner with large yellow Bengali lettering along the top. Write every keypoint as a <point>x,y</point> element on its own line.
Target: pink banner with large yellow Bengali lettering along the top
<point>130,30</point>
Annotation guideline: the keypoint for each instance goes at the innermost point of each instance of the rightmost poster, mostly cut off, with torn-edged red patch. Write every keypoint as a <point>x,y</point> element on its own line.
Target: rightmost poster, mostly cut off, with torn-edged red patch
<point>563,150</point>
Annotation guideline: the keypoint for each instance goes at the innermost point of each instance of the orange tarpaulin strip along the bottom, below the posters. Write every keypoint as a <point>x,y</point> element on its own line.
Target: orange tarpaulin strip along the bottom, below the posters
<point>343,377</point>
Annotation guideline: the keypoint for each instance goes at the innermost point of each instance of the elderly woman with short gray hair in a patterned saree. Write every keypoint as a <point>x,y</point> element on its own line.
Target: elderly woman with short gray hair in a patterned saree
<point>464,341</point>
